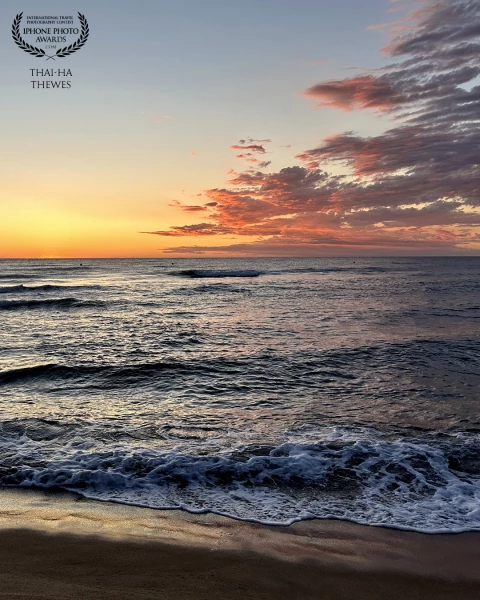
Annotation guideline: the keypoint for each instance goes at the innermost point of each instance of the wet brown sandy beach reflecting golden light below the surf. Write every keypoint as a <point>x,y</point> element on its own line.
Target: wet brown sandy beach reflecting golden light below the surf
<point>61,546</point>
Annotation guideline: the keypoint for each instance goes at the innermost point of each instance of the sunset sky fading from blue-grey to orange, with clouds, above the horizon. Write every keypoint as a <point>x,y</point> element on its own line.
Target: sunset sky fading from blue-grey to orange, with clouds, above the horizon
<point>260,128</point>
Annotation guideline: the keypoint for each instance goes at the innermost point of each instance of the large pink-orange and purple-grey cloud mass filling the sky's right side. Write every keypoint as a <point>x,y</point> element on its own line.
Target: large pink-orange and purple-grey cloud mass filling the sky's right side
<point>415,186</point>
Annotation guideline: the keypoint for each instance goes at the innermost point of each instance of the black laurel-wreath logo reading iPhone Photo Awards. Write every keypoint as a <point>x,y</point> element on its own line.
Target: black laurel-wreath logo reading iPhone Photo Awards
<point>44,37</point>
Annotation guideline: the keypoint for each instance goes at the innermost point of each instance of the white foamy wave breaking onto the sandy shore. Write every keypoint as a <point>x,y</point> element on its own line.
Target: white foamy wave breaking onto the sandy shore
<point>415,484</point>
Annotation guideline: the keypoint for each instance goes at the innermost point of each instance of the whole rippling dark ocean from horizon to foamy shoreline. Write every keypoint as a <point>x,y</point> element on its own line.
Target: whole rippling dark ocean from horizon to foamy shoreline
<point>271,390</point>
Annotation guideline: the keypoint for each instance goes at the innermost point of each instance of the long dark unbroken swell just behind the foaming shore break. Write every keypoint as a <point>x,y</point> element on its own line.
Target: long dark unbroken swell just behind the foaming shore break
<point>301,372</point>
